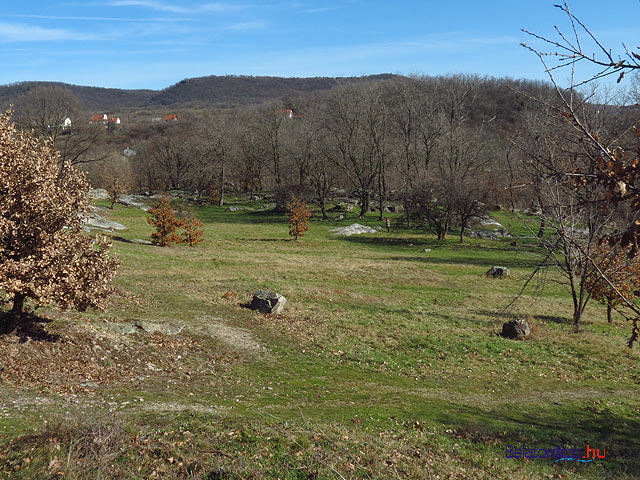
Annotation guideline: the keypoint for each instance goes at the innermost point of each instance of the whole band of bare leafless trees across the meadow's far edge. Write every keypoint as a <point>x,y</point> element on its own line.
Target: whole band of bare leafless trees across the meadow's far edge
<point>442,149</point>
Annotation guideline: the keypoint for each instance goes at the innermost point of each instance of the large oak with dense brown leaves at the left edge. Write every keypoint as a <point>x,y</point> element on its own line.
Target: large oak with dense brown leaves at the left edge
<point>44,256</point>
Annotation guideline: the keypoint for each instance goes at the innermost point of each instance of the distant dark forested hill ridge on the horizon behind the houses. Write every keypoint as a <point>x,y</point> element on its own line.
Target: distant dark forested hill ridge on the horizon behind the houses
<point>212,90</point>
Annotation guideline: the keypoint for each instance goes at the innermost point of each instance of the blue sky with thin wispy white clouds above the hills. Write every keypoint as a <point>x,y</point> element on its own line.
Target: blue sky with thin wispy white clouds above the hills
<point>156,43</point>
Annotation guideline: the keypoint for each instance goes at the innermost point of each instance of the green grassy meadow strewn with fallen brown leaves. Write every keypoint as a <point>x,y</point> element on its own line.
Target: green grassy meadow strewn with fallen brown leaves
<point>386,363</point>
